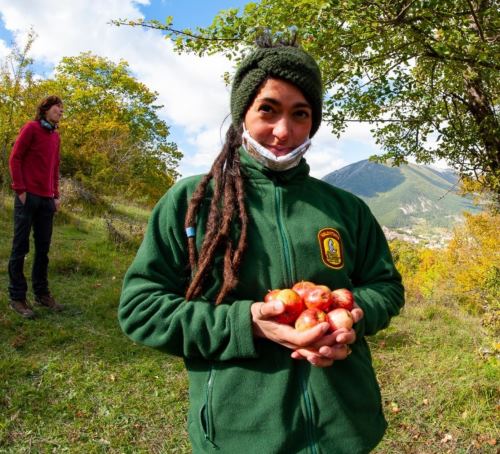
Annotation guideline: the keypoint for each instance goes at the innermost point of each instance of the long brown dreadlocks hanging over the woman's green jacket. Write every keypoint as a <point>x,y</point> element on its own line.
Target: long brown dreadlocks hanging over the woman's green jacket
<point>227,209</point>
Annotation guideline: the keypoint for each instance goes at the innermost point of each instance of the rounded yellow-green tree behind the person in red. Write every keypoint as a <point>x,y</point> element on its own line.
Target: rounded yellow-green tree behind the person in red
<point>112,136</point>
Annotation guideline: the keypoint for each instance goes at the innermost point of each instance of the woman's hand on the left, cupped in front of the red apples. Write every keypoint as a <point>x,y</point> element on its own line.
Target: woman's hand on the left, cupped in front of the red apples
<point>265,326</point>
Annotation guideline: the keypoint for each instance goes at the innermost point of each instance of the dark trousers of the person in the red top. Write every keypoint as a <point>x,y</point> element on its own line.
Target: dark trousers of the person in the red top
<point>37,213</point>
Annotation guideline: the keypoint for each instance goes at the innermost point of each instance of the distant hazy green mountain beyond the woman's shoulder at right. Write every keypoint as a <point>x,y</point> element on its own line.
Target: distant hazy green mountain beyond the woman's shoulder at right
<point>411,198</point>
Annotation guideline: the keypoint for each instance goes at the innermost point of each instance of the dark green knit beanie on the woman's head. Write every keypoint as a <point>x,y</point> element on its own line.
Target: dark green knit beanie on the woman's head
<point>292,64</point>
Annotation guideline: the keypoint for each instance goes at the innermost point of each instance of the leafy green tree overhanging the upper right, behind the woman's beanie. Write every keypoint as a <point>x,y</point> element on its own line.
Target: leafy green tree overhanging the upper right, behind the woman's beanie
<point>424,74</point>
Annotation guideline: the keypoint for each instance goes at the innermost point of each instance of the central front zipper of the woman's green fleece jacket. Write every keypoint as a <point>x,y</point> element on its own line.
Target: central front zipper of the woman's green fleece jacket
<point>291,277</point>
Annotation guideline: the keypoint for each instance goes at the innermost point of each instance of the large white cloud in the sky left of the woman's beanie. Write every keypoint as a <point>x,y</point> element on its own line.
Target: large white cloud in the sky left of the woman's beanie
<point>190,88</point>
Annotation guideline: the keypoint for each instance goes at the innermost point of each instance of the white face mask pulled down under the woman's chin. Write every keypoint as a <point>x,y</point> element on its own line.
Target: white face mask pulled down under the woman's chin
<point>268,159</point>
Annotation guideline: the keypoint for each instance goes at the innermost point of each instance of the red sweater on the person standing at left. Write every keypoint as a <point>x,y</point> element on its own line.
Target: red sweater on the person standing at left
<point>34,161</point>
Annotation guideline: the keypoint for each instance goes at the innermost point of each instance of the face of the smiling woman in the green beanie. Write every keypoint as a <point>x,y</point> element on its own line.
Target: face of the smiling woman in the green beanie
<point>279,118</point>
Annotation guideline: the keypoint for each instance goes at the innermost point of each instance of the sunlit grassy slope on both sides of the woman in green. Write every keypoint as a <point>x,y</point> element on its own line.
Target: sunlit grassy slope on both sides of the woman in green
<point>73,383</point>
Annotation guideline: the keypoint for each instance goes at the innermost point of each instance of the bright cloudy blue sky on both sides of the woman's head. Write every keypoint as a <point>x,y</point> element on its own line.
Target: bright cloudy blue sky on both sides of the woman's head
<point>191,89</point>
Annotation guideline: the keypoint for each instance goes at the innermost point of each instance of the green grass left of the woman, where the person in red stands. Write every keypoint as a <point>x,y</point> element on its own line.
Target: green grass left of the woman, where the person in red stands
<point>72,382</point>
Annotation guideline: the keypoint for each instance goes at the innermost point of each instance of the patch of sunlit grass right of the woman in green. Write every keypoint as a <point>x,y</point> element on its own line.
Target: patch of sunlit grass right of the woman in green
<point>440,393</point>
